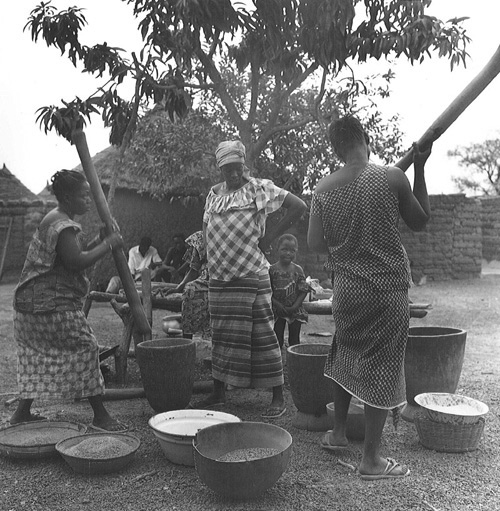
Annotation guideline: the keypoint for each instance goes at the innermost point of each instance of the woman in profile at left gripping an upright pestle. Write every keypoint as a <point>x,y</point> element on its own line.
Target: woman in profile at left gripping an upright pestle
<point>58,355</point>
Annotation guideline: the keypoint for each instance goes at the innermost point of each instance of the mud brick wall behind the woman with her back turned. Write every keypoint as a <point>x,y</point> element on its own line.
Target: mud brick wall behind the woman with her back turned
<point>450,247</point>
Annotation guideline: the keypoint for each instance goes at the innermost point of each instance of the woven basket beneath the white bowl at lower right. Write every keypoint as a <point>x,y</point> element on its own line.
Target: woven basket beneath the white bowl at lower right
<point>448,437</point>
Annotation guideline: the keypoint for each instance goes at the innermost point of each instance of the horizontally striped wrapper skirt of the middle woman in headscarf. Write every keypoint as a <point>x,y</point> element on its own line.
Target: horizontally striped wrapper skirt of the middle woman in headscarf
<point>245,350</point>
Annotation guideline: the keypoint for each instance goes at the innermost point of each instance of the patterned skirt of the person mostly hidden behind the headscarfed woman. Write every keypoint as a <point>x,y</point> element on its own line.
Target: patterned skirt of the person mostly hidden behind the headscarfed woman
<point>195,313</point>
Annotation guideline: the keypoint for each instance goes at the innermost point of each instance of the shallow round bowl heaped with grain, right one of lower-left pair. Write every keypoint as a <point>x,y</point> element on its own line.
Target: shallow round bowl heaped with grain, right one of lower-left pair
<point>98,453</point>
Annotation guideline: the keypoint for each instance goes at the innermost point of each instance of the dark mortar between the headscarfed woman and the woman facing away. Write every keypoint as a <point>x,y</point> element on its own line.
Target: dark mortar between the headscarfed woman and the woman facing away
<point>311,390</point>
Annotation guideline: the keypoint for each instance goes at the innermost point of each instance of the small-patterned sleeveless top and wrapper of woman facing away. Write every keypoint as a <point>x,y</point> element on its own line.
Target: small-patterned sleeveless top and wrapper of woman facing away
<point>370,278</point>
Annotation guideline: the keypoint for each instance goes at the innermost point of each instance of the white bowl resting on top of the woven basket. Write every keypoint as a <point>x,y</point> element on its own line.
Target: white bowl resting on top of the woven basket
<point>451,408</point>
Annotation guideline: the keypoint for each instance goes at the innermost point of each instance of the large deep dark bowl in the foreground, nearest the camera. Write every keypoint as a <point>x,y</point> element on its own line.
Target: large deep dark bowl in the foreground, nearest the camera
<point>241,460</point>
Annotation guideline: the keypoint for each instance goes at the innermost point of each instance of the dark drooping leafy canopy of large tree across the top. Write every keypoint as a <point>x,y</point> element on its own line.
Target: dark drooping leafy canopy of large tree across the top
<point>282,44</point>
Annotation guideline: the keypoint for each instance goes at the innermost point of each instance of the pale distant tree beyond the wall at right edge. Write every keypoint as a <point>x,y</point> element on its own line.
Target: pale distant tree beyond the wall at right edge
<point>482,163</point>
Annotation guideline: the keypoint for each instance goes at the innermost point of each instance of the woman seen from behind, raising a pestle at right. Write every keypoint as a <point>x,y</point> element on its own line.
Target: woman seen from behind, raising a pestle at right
<point>354,218</point>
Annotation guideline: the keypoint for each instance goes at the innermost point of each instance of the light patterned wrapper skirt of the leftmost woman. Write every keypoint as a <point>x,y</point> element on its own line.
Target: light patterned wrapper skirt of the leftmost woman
<point>58,356</point>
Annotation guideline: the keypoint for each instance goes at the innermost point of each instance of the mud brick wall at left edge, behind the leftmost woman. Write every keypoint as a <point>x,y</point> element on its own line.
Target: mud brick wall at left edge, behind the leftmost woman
<point>26,216</point>
